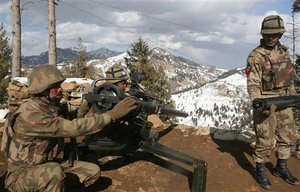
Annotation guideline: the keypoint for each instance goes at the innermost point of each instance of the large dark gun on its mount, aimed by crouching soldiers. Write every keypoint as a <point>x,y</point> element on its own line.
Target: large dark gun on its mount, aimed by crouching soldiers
<point>133,132</point>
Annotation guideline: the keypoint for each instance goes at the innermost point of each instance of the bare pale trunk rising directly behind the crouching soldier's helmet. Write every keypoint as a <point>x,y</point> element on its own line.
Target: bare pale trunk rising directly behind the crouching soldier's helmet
<point>52,33</point>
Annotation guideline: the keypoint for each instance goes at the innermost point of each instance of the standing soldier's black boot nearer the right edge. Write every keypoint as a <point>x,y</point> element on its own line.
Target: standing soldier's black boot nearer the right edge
<point>282,171</point>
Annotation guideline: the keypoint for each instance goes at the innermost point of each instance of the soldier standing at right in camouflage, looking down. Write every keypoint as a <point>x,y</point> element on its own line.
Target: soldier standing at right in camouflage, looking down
<point>270,73</point>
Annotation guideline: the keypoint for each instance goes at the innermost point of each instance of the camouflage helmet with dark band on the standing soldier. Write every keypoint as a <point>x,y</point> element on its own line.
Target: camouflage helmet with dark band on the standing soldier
<point>272,24</point>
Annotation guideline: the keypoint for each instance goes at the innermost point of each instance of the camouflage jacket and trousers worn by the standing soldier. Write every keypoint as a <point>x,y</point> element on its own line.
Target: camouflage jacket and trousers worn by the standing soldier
<point>270,73</point>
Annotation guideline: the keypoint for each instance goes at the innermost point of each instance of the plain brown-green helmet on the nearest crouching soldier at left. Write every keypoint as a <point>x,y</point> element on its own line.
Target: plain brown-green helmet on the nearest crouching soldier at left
<point>43,77</point>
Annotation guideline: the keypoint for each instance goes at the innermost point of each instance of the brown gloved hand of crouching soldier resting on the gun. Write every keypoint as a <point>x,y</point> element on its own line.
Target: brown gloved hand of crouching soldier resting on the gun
<point>122,108</point>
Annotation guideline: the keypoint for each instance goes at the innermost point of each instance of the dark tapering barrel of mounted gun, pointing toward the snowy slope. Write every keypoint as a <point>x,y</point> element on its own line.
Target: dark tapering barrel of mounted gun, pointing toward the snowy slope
<point>151,108</point>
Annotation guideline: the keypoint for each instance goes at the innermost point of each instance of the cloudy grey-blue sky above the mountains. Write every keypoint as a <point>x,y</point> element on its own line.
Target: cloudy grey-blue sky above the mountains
<point>218,33</point>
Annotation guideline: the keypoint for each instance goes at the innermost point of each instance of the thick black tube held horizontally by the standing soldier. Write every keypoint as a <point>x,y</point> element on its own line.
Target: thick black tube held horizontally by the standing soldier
<point>261,104</point>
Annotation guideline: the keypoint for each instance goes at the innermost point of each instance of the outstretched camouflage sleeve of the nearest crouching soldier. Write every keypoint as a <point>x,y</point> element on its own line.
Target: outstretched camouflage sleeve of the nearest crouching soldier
<point>45,125</point>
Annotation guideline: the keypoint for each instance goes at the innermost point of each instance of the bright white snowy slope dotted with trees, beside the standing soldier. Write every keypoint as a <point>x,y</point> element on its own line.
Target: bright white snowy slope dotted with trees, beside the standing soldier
<point>225,92</point>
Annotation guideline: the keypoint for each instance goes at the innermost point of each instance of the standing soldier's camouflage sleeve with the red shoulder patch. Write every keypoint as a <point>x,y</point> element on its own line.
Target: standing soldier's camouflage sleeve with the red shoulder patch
<point>254,76</point>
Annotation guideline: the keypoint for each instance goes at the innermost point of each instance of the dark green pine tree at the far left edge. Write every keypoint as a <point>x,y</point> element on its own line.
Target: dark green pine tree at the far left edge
<point>5,57</point>
